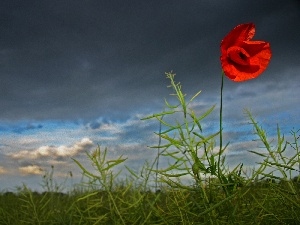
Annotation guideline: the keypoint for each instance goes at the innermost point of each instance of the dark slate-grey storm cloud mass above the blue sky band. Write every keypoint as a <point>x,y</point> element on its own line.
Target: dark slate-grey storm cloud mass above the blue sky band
<point>85,59</point>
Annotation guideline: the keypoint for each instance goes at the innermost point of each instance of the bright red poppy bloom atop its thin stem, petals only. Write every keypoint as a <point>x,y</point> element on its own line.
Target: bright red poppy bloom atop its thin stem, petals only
<point>241,58</point>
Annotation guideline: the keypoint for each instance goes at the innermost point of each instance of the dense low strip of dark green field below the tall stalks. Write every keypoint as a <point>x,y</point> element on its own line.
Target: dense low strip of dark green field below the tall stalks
<point>263,202</point>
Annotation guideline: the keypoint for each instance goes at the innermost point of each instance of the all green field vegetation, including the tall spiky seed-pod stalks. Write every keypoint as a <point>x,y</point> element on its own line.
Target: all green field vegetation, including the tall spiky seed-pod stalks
<point>268,194</point>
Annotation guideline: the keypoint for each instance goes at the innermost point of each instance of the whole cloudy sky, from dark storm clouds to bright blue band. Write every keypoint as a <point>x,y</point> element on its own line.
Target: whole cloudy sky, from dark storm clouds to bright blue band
<point>78,74</point>
